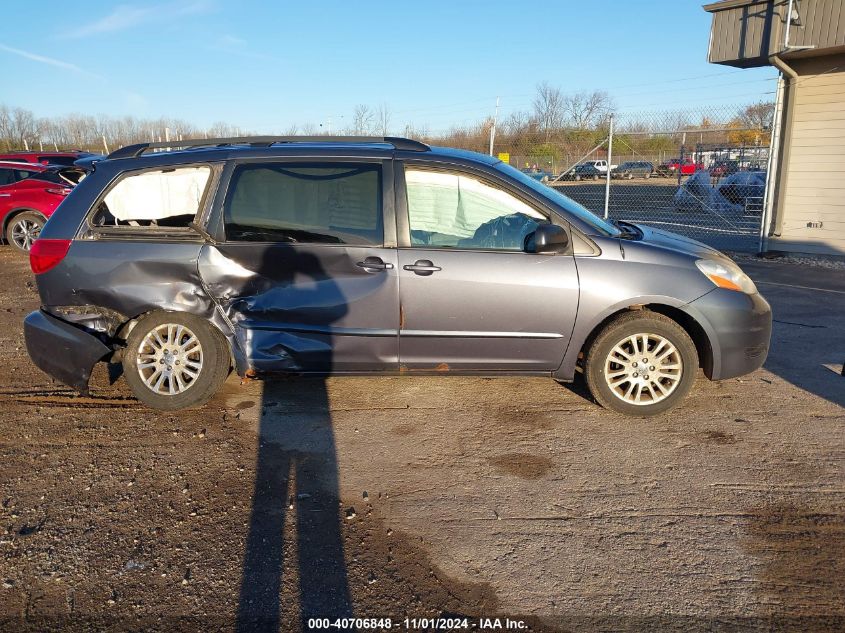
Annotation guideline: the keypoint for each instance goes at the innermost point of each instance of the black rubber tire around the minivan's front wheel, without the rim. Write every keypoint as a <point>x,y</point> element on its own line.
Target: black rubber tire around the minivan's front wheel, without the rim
<point>630,324</point>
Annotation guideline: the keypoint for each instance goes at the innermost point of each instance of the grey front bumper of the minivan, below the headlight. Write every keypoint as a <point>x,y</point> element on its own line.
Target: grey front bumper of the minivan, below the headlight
<point>739,327</point>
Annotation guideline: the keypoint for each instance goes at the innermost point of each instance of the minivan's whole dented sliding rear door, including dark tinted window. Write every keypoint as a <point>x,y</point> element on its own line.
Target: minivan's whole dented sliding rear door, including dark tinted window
<point>304,274</point>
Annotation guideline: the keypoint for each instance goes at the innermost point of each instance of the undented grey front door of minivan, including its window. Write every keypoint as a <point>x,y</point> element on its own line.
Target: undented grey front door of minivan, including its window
<point>471,298</point>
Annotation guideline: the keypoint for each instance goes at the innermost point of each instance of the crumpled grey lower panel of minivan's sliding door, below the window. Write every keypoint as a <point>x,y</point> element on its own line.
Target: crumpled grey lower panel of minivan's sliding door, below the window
<point>306,308</point>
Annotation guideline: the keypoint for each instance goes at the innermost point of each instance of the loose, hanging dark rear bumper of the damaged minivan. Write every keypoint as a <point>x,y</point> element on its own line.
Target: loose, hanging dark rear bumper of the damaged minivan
<point>65,352</point>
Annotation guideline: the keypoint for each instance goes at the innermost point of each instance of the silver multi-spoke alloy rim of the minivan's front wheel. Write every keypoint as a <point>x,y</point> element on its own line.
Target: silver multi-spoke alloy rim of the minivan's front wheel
<point>643,369</point>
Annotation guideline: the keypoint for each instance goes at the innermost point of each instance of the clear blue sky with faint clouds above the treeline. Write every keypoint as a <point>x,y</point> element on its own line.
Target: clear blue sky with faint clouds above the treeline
<point>268,65</point>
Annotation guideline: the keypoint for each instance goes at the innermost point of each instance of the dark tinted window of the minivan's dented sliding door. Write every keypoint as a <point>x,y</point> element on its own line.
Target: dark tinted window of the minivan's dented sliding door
<point>325,204</point>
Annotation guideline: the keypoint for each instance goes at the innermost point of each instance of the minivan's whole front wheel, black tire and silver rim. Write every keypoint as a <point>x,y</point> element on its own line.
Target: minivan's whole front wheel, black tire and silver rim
<point>642,364</point>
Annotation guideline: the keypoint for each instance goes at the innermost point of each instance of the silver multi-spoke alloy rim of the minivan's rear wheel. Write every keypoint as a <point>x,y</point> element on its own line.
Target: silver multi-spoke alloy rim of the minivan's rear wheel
<point>170,359</point>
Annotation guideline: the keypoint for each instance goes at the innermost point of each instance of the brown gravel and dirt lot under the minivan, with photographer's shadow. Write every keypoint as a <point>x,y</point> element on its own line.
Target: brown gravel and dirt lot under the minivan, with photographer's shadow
<point>411,497</point>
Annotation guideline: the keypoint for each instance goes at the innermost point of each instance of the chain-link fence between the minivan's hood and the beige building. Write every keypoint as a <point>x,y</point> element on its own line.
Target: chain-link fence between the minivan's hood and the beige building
<point>700,173</point>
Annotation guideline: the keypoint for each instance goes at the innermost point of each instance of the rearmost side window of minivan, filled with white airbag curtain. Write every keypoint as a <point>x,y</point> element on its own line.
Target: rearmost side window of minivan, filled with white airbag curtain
<point>166,197</point>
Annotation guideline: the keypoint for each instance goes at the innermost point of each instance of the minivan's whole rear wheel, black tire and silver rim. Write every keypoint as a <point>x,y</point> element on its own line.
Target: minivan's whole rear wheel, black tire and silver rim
<point>174,360</point>
